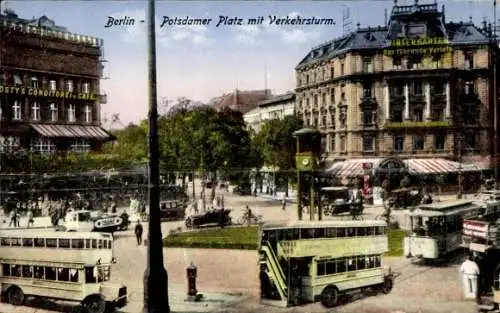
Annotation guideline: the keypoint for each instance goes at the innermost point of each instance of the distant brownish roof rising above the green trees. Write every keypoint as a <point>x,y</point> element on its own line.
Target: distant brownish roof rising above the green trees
<point>240,100</point>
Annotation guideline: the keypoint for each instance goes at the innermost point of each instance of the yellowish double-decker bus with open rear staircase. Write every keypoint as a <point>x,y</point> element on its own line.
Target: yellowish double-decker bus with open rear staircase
<point>304,262</point>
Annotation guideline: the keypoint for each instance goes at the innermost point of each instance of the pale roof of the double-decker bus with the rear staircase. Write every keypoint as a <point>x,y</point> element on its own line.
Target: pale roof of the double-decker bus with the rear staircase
<point>317,224</point>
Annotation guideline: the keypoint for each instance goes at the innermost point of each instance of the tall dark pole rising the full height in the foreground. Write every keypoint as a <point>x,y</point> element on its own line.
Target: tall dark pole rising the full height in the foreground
<point>155,276</point>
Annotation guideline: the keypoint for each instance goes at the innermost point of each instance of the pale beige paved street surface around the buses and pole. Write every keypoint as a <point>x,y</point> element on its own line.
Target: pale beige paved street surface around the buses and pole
<point>229,278</point>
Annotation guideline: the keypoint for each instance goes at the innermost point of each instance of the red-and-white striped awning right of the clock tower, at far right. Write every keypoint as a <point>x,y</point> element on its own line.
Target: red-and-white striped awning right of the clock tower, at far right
<point>438,166</point>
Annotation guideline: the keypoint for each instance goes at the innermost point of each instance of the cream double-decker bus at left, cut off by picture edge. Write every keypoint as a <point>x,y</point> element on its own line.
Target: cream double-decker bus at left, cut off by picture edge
<point>70,266</point>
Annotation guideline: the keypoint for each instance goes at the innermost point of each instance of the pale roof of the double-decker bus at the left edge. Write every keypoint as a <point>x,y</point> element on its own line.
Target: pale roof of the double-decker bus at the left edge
<point>27,233</point>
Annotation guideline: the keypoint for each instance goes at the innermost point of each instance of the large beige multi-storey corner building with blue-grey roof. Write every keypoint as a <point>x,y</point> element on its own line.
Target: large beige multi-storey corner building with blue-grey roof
<point>418,88</point>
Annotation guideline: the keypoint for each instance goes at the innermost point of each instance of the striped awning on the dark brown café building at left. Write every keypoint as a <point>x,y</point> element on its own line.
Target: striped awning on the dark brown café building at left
<point>71,131</point>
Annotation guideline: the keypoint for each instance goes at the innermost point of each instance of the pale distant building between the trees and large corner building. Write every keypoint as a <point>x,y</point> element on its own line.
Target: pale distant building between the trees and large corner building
<point>276,107</point>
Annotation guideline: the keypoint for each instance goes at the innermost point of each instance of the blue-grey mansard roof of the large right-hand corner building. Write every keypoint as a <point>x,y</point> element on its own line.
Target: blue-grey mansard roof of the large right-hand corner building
<point>380,37</point>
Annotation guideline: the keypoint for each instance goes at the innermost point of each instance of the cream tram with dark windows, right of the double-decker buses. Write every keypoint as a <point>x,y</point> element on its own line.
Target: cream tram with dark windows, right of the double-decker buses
<point>436,228</point>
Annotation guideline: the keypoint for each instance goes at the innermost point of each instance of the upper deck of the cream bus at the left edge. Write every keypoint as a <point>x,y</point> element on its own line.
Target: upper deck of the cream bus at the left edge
<point>48,246</point>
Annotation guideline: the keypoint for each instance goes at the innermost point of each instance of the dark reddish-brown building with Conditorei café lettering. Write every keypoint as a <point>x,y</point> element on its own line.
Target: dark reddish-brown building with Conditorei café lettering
<point>49,88</point>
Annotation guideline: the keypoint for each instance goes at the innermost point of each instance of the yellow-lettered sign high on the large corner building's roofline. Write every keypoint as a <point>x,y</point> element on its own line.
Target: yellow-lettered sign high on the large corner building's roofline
<point>430,45</point>
